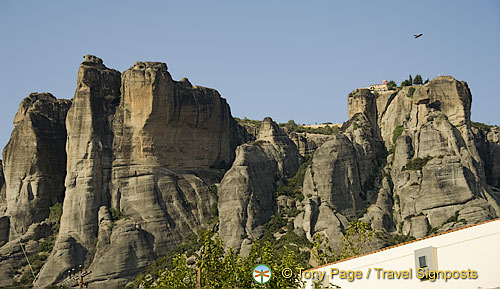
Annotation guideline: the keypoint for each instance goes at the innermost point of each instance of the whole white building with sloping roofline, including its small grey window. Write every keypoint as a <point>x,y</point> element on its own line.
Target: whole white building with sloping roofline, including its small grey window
<point>467,257</point>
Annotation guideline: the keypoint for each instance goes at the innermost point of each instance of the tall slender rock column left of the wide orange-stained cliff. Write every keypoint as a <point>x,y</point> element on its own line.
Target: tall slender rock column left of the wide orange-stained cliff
<point>89,151</point>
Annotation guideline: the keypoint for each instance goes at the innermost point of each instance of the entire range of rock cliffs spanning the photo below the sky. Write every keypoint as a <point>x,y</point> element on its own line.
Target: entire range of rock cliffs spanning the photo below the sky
<point>138,163</point>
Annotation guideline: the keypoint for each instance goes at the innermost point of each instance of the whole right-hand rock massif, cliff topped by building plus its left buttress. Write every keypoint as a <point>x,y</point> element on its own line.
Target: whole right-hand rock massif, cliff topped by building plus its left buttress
<point>439,173</point>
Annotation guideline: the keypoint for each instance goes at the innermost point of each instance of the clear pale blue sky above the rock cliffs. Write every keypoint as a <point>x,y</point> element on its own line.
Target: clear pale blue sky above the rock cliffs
<point>285,59</point>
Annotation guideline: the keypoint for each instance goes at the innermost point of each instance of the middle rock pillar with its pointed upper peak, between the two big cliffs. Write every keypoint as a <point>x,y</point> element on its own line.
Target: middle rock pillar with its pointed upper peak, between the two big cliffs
<point>247,192</point>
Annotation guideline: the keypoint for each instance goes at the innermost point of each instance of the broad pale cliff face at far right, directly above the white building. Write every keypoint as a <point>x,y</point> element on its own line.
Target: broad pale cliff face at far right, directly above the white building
<point>436,168</point>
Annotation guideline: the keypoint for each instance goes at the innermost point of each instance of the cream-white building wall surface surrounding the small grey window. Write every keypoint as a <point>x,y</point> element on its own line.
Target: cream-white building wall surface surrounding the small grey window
<point>476,248</point>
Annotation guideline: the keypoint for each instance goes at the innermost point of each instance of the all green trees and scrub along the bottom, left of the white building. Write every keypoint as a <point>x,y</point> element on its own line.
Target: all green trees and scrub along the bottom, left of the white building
<point>215,267</point>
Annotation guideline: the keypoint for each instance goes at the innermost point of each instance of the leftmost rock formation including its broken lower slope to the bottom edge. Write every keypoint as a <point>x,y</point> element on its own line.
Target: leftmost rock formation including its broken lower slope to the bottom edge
<point>34,166</point>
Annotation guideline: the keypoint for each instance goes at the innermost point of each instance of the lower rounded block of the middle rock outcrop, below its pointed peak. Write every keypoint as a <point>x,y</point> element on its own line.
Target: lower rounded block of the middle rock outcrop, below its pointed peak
<point>246,195</point>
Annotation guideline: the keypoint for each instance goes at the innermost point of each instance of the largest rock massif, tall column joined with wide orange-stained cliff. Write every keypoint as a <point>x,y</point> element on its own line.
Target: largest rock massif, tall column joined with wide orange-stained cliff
<point>147,147</point>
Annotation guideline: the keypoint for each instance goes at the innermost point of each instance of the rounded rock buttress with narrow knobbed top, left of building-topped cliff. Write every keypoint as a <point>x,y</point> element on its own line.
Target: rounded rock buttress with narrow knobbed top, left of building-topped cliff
<point>342,180</point>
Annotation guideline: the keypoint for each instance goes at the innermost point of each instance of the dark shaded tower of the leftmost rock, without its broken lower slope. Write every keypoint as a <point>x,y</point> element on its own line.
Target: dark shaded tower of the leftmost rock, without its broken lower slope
<point>34,161</point>
